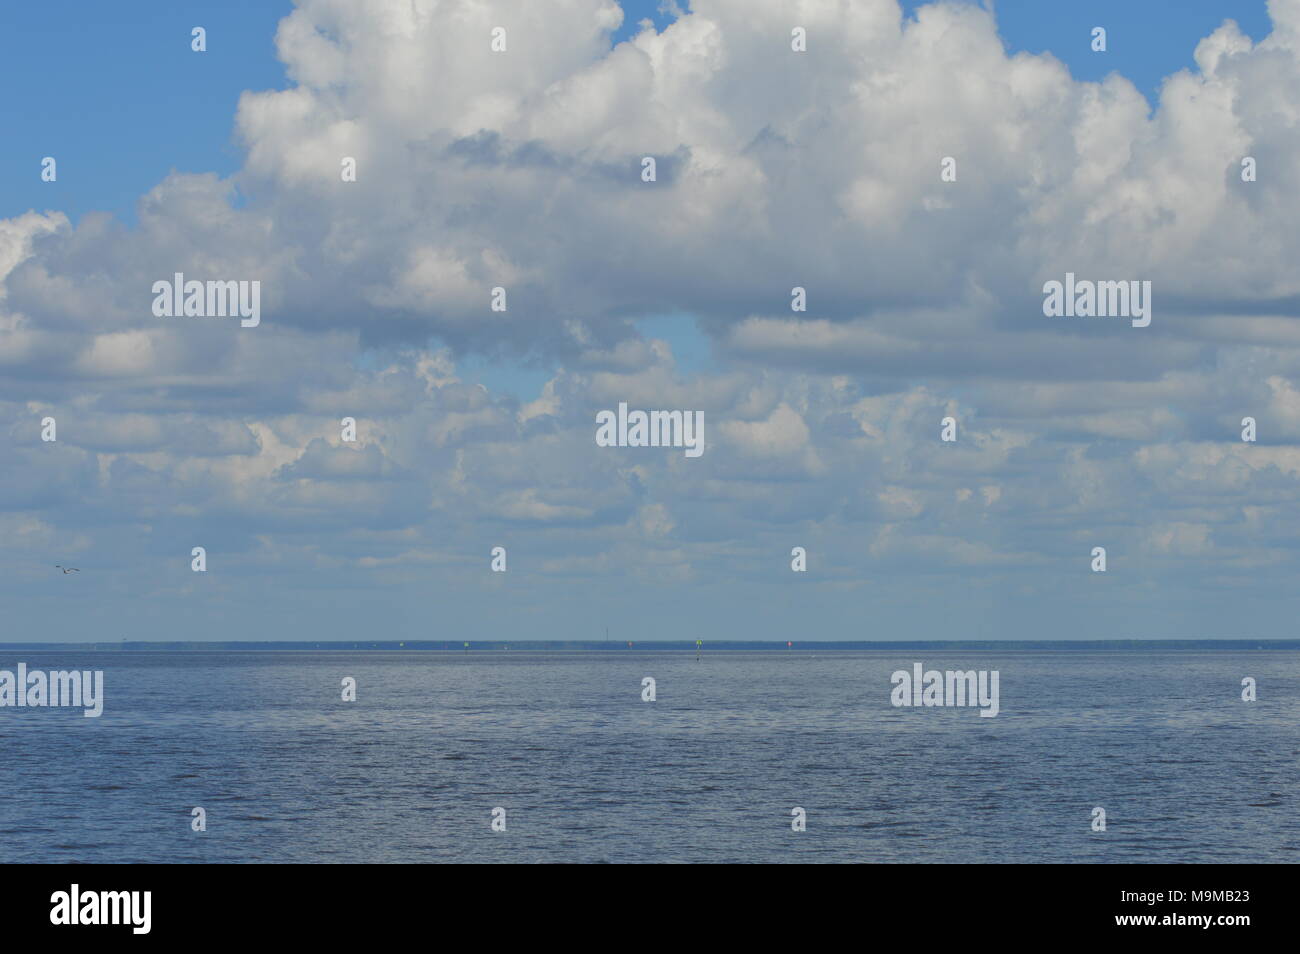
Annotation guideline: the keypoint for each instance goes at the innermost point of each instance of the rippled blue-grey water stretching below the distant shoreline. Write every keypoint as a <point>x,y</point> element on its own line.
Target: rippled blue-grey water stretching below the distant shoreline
<point>709,773</point>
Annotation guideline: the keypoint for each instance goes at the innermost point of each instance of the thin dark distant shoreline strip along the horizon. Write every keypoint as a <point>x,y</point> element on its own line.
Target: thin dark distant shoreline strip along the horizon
<point>657,645</point>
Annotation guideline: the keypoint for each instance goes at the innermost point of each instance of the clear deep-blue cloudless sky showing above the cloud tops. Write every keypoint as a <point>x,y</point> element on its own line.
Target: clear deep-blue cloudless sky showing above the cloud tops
<point>122,101</point>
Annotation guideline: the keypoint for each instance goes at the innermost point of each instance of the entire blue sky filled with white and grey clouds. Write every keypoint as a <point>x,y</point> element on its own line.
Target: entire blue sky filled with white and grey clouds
<point>820,172</point>
